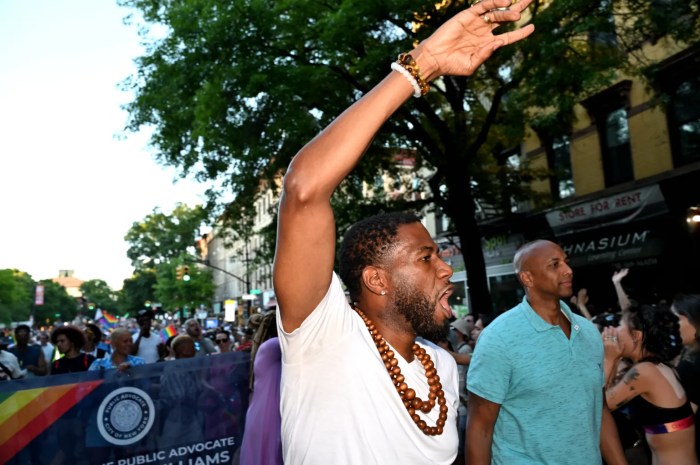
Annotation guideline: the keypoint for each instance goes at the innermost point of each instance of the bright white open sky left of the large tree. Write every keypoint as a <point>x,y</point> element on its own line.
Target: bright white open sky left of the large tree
<point>69,189</point>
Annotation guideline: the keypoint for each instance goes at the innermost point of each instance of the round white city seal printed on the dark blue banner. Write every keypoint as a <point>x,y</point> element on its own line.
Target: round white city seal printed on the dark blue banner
<point>125,416</point>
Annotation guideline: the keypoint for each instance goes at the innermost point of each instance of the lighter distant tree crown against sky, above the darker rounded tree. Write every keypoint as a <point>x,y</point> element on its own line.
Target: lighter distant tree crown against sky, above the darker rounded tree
<point>161,237</point>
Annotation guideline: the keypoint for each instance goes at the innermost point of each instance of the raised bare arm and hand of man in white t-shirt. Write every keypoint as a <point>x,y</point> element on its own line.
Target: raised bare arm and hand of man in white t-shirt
<point>306,227</point>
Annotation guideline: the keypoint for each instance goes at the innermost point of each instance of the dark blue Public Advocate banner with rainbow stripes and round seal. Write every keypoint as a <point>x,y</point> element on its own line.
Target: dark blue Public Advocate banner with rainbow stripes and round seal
<point>143,415</point>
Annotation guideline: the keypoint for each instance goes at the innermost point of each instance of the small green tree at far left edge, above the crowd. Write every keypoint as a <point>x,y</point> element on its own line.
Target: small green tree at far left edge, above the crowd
<point>16,295</point>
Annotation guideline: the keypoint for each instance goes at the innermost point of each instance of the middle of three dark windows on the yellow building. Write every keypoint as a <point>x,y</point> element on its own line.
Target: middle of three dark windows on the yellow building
<point>608,111</point>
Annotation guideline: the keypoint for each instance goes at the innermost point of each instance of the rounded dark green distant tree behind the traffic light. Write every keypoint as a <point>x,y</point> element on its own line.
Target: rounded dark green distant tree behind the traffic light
<point>175,293</point>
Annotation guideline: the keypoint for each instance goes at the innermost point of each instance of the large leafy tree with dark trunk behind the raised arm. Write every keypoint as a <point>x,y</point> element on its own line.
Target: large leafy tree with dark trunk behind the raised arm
<point>234,89</point>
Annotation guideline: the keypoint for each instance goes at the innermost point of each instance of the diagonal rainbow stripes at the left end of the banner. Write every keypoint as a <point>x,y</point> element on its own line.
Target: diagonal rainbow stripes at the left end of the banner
<point>26,414</point>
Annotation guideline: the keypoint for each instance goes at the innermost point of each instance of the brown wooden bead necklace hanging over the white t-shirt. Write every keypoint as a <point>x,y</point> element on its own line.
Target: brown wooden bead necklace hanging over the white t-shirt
<point>412,402</point>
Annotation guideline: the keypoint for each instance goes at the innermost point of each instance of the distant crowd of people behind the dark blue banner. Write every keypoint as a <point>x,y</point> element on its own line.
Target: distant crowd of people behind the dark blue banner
<point>83,346</point>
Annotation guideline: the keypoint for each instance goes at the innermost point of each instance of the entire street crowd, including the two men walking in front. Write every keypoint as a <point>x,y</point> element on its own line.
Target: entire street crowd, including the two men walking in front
<point>385,373</point>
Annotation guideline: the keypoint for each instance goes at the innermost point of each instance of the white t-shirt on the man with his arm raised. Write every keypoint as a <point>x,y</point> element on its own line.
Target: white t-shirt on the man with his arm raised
<point>338,403</point>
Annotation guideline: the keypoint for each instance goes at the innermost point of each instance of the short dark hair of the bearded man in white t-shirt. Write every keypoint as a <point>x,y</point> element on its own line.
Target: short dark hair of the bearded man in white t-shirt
<point>368,242</point>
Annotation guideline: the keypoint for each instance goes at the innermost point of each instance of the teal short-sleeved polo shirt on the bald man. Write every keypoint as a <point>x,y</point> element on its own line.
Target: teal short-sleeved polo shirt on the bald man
<point>550,388</point>
